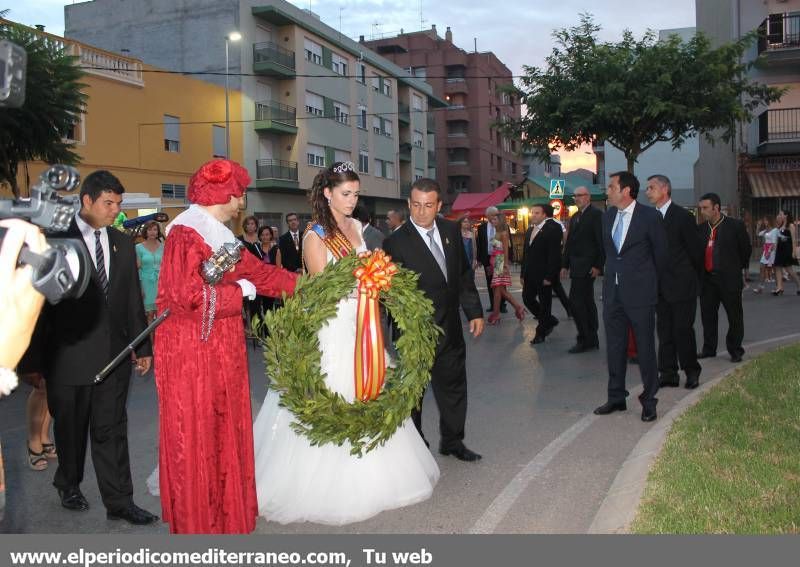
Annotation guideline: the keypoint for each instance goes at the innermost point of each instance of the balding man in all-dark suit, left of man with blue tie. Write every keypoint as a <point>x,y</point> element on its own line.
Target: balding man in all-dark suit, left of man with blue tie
<point>583,261</point>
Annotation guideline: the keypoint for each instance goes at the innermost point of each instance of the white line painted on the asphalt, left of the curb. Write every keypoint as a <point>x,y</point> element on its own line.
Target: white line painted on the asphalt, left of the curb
<point>500,506</point>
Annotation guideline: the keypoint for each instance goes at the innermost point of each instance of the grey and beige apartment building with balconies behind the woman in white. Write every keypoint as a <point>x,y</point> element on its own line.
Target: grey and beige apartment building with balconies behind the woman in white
<point>309,95</point>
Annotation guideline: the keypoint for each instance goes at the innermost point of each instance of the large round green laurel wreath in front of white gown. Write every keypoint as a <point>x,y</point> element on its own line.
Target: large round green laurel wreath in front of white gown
<point>292,354</point>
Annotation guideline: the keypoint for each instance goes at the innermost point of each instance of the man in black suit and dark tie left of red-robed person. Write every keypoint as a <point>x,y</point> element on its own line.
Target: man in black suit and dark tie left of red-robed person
<point>79,338</point>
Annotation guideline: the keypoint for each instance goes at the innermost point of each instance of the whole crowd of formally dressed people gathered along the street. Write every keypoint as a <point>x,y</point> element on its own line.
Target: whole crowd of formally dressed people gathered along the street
<point>218,469</point>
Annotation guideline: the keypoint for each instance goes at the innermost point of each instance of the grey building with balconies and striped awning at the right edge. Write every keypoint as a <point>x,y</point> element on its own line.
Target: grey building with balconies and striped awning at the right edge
<point>759,171</point>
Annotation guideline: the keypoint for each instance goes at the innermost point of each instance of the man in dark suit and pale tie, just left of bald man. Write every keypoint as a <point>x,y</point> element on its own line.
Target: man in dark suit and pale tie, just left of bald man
<point>541,261</point>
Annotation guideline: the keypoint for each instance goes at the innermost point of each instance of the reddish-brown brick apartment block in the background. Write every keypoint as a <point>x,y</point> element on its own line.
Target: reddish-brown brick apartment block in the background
<point>470,155</point>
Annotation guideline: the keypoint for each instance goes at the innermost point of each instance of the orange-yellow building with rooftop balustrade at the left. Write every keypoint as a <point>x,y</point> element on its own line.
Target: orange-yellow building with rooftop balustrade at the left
<point>135,126</point>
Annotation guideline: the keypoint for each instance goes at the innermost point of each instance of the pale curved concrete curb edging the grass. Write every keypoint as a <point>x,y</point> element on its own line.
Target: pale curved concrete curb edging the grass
<point>621,503</point>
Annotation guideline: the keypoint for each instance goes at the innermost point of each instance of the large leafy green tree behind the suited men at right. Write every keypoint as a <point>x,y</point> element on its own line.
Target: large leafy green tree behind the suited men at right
<point>635,93</point>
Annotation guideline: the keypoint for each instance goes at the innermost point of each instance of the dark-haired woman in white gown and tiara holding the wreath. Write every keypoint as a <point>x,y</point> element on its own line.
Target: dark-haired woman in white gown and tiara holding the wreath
<point>298,482</point>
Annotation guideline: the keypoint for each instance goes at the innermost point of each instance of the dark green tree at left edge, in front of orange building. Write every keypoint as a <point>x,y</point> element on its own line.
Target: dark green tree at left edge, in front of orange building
<point>53,102</point>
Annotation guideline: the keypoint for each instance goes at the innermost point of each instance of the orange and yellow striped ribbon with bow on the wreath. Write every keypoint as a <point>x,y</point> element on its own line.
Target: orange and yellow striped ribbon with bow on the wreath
<point>373,276</point>
